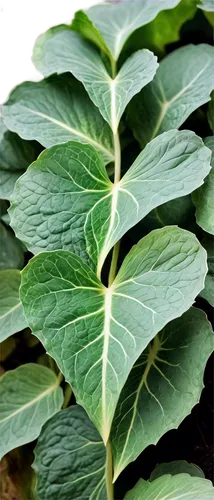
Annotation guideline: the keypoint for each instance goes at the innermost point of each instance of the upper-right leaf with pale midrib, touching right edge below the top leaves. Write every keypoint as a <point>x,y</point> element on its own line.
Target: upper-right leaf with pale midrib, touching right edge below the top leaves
<point>167,102</point>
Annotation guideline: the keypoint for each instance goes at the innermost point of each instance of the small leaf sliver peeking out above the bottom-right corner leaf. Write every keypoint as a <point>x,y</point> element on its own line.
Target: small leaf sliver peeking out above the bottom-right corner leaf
<point>177,467</point>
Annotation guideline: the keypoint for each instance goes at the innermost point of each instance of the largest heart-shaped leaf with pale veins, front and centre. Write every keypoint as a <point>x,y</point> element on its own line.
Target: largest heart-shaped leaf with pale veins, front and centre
<point>94,333</point>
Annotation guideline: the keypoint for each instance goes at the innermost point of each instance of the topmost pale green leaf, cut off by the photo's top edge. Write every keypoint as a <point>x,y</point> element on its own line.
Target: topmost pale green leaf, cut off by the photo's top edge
<point>116,23</point>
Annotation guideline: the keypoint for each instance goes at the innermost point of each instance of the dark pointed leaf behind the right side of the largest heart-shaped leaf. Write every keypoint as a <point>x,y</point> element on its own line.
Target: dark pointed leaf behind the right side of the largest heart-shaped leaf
<point>163,387</point>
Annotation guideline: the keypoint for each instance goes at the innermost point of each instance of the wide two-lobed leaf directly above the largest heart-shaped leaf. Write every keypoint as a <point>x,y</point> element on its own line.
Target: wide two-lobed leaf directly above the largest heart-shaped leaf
<point>66,200</point>
